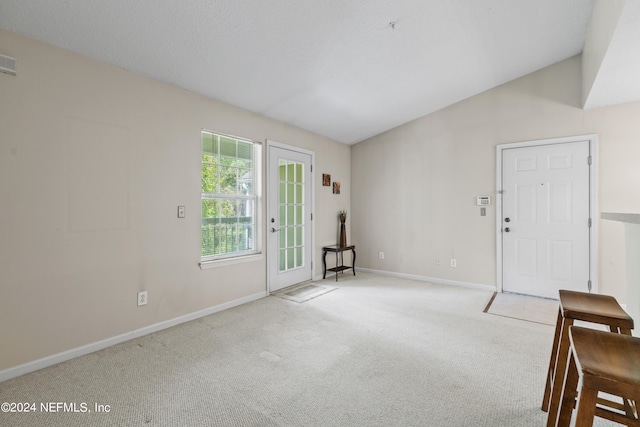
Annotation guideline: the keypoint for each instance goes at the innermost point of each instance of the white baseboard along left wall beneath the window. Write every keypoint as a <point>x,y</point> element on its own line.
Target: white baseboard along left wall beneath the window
<point>35,365</point>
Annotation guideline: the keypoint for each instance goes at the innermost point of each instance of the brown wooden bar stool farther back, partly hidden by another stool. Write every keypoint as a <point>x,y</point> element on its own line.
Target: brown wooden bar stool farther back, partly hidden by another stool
<point>594,308</point>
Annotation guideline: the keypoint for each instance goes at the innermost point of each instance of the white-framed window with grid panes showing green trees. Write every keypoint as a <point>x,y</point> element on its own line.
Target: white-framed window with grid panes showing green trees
<point>230,202</point>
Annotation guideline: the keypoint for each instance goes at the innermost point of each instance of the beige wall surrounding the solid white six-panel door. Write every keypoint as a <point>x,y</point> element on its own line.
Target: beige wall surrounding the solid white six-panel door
<point>414,187</point>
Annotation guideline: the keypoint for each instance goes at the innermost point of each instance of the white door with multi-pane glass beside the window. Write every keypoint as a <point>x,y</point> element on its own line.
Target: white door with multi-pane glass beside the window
<point>289,216</point>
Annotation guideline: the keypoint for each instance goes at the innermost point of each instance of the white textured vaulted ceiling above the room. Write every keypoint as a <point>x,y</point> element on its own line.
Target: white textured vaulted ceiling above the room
<point>346,69</point>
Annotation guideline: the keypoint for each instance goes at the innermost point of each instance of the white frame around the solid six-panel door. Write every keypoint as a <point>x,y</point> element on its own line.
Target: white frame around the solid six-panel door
<point>593,201</point>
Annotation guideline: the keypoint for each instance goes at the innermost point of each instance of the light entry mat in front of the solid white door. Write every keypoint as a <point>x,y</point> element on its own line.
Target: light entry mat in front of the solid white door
<point>524,307</point>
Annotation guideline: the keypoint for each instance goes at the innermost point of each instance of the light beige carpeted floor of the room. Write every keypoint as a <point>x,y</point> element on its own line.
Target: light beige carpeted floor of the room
<point>377,351</point>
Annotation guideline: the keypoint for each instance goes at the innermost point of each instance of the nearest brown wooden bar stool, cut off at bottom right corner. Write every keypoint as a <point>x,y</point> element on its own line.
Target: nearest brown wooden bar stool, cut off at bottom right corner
<point>603,362</point>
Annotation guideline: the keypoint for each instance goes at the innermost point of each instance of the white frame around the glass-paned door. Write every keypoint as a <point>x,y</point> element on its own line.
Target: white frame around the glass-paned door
<point>270,256</point>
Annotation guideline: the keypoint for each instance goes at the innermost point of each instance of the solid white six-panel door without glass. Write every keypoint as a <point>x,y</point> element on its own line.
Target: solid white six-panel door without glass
<point>545,219</point>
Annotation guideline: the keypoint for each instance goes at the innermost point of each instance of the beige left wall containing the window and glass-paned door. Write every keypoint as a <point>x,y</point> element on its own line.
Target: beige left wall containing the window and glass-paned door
<point>74,252</point>
